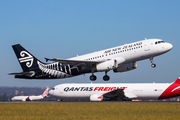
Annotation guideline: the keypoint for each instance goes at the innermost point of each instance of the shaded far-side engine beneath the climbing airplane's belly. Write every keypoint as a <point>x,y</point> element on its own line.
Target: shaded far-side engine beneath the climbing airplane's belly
<point>126,67</point>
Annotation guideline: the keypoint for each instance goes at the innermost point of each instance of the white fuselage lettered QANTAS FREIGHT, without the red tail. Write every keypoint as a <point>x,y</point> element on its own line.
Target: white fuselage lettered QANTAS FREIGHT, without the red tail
<point>135,91</point>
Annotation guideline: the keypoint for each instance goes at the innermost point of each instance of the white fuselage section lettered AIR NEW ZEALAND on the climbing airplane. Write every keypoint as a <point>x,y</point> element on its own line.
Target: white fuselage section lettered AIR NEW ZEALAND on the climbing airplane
<point>130,52</point>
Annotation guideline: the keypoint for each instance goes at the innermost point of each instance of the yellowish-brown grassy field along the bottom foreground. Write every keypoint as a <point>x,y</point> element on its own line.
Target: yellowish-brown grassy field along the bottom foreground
<point>90,111</point>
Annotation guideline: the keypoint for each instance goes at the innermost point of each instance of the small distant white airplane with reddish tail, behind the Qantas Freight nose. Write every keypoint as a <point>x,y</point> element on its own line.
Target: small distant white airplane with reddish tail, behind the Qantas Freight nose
<point>31,98</point>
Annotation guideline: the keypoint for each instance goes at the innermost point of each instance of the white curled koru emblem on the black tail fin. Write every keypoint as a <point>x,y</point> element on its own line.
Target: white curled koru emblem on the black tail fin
<point>26,57</point>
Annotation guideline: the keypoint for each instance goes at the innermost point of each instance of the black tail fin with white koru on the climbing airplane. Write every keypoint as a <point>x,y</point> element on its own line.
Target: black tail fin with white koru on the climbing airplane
<point>27,61</point>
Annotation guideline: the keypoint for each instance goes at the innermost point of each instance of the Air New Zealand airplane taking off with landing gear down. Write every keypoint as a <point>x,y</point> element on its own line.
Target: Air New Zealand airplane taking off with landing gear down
<point>119,59</point>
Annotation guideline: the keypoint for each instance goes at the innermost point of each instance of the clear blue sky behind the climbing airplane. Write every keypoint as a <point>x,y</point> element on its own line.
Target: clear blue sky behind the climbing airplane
<point>63,29</point>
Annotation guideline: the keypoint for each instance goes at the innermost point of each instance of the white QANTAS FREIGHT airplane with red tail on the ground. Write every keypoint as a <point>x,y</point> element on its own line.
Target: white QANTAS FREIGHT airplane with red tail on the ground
<point>116,91</point>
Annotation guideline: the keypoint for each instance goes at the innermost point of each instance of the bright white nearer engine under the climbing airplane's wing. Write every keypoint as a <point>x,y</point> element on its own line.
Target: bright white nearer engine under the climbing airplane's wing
<point>110,64</point>
